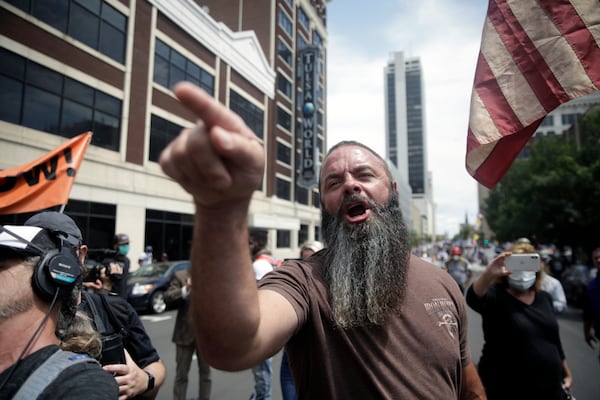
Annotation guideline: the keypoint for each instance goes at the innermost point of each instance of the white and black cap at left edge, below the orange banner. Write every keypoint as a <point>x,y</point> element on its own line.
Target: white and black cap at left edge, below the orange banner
<point>26,239</point>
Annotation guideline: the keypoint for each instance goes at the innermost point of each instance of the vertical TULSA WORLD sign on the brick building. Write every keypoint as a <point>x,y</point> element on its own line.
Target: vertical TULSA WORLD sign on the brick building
<point>308,174</point>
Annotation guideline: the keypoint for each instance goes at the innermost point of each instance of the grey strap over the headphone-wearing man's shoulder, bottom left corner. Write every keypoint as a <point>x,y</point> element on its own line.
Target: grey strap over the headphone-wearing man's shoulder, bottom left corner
<point>47,372</point>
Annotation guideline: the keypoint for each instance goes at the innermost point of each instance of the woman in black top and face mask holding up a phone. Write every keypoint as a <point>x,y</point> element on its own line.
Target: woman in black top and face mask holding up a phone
<point>522,357</point>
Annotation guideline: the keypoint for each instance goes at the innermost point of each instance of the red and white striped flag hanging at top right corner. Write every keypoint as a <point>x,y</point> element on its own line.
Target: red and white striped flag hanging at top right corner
<point>535,55</point>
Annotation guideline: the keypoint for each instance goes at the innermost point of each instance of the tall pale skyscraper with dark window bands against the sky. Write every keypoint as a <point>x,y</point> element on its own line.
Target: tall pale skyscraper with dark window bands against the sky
<point>406,141</point>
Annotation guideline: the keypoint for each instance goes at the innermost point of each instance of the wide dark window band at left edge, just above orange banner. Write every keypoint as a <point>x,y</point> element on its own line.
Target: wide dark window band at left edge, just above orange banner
<point>39,98</point>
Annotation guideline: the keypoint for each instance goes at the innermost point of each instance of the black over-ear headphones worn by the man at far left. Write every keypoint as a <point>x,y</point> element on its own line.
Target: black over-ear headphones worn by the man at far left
<point>57,269</point>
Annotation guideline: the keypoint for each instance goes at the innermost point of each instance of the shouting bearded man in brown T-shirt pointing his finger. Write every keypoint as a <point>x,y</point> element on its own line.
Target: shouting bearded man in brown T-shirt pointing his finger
<point>361,318</point>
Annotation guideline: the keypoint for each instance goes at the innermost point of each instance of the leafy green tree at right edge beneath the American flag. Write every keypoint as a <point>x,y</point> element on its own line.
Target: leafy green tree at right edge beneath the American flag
<point>552,196</point>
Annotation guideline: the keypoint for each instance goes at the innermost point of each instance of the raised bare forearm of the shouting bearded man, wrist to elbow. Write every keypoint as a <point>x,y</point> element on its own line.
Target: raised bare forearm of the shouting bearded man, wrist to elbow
<point>225,300</point>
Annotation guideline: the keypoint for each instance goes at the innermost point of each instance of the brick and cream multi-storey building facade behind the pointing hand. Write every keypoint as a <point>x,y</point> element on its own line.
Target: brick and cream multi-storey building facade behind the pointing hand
<point>108,66</point>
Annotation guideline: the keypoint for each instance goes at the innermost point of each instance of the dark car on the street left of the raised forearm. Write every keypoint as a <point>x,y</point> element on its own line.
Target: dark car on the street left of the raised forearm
<point>147,284</point>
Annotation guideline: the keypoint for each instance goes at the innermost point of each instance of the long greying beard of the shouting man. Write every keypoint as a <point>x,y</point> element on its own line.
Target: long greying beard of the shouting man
<point>366,265</point>
